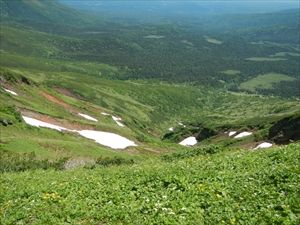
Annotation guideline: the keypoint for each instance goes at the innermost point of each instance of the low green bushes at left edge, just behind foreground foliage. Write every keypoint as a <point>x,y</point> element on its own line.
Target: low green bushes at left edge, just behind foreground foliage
<point>19,162</point>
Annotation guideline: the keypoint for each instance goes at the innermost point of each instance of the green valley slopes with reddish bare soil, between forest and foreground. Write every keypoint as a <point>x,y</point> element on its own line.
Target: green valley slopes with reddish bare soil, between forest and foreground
<point>147,110</point>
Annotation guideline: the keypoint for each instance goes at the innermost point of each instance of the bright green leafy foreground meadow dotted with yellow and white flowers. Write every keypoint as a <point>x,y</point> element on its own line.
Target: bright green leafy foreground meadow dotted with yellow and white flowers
<point>238,187</point>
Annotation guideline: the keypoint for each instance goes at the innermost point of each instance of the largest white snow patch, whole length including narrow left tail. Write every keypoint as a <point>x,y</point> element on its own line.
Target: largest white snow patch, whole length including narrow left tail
<point>104,138</point>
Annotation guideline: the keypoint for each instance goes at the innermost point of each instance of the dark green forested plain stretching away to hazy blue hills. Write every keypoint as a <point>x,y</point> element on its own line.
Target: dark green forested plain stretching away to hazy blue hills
<point>172,51</point>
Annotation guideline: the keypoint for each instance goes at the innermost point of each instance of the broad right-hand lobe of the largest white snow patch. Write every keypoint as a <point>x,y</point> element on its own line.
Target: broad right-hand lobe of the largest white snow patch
<point>108,139</point>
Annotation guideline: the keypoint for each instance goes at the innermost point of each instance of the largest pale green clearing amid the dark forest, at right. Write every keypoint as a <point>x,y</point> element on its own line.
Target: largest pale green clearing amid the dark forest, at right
<point>264,81</point>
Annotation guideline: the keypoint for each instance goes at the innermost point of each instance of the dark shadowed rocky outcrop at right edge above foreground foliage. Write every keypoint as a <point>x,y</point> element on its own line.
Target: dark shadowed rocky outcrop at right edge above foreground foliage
<point>286,130</point>
